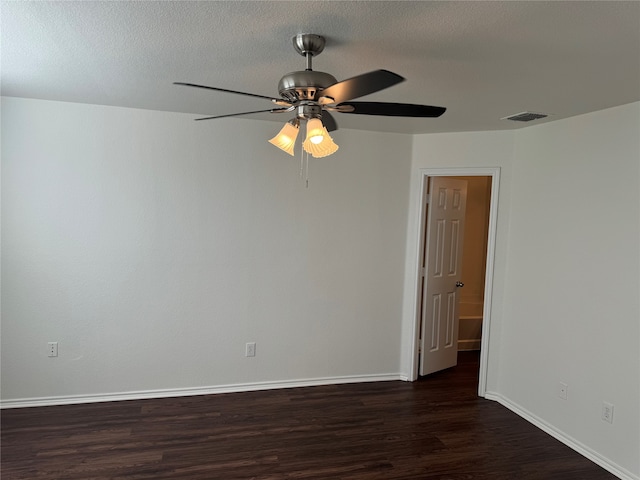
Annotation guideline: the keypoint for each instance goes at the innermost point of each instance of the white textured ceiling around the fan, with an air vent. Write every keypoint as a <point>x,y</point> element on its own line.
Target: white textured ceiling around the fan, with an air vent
<point>481,60</point>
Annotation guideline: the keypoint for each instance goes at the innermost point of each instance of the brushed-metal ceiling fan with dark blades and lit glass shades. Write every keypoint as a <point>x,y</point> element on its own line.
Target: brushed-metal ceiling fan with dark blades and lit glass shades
<point>313,95</point>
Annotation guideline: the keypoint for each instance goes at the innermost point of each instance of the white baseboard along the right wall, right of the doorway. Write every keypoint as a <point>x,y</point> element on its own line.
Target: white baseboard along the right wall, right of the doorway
<point>571,442</point>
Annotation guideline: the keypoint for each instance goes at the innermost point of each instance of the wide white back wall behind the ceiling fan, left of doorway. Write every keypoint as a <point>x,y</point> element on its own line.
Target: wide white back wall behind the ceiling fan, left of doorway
<point>153,247</point>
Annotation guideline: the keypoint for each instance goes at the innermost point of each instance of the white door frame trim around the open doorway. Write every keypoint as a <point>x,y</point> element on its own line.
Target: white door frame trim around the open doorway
<point>425,173</point>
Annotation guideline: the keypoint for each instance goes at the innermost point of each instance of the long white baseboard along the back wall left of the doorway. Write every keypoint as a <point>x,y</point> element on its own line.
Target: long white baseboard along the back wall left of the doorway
<point>185,392</point>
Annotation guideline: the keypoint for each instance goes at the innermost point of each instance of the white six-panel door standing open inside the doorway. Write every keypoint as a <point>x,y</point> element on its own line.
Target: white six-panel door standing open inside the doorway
<point>442,270</point>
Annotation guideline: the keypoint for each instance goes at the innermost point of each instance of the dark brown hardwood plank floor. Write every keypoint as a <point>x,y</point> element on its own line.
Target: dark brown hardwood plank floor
<point>436,428</point>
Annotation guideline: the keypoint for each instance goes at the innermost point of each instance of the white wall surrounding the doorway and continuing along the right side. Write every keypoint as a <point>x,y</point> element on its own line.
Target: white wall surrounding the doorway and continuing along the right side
<point>567,276</point>
